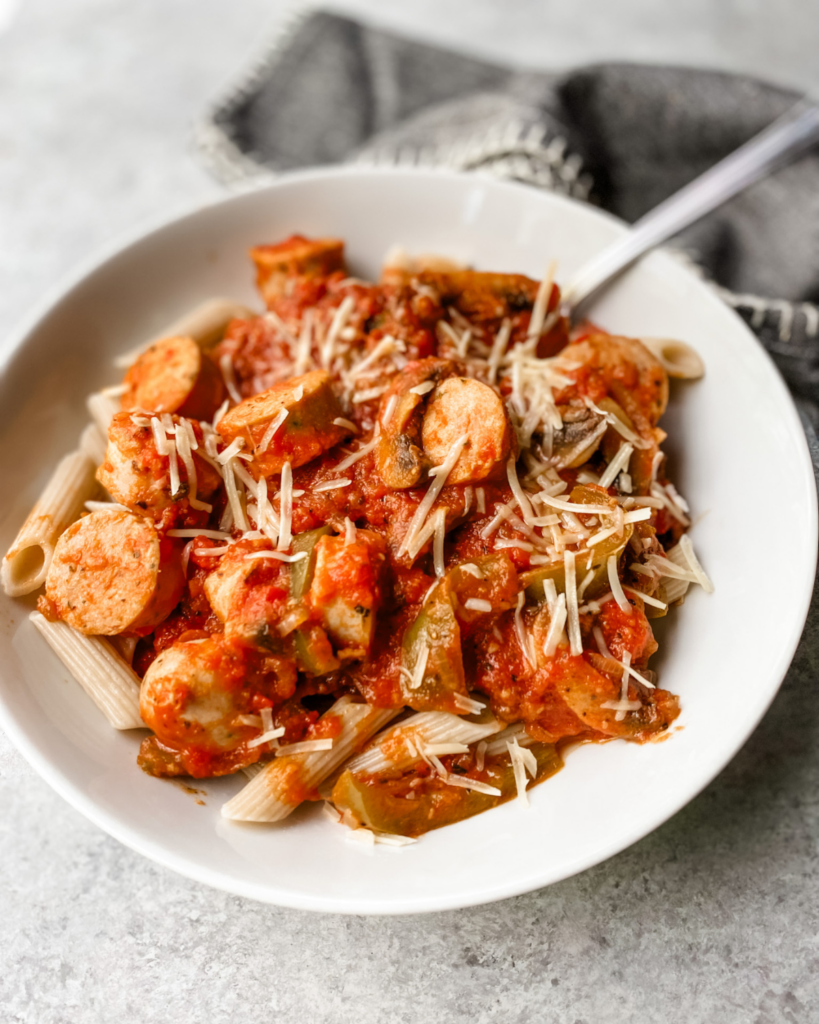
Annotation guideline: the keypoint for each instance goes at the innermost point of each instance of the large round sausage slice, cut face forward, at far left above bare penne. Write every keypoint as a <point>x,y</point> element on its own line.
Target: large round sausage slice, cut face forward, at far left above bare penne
<point>114,573</point>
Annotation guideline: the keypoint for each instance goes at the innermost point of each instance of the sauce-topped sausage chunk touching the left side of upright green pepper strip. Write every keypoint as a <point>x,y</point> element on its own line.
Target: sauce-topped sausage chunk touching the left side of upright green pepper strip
<point>250,595</point>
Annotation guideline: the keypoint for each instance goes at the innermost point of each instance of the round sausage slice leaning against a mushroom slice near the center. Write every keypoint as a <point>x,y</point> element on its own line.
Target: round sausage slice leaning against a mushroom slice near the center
<point>462,406</point>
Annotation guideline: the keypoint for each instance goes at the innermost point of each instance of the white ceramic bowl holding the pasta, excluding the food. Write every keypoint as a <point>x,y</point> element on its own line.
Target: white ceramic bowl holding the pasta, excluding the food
<point>739,455</point>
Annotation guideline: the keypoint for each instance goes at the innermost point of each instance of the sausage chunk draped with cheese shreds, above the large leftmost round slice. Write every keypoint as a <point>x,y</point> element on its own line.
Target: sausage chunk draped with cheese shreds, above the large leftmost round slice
<point>137,476</point>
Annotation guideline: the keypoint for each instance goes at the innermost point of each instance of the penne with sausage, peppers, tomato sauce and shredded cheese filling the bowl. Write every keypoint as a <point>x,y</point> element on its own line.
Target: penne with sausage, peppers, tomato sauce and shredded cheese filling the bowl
<point>394,546</point>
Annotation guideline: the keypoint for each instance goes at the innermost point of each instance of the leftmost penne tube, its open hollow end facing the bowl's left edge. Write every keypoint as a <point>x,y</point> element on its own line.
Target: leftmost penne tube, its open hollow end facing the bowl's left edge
<point>72,485</point>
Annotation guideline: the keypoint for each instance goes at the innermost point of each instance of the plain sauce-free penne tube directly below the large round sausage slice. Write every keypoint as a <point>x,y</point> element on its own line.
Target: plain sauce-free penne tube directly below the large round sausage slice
<point>108,680</point>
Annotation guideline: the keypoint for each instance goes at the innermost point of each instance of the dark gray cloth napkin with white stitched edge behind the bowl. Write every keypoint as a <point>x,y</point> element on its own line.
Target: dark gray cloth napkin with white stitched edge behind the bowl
<point>332,91</point>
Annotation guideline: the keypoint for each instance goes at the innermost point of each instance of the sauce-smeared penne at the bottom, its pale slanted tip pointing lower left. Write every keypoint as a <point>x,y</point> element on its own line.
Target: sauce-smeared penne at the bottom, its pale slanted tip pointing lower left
<point>285,783</point>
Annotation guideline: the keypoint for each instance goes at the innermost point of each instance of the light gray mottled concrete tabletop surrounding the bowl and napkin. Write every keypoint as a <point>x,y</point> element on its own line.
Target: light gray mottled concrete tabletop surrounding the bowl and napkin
<point>714,918</point>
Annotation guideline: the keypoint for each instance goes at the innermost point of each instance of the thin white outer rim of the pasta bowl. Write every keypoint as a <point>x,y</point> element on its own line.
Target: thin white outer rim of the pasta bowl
<point>139,841</point>
